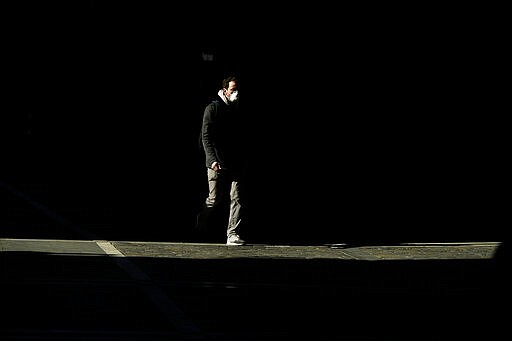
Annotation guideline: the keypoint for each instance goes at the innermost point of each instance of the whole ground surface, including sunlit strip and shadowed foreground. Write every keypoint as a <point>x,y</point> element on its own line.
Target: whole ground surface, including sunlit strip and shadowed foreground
<point>78,288</point>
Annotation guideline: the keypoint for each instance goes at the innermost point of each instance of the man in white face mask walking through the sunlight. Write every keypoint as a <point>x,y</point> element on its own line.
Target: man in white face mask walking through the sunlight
<point>223,140</point>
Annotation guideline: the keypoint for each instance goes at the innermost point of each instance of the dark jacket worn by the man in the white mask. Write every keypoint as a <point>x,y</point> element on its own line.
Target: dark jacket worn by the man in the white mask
<point>223,135</point>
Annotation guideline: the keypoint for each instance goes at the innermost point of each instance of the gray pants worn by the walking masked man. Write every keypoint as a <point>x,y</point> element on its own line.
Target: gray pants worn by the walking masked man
<point>222,186</point>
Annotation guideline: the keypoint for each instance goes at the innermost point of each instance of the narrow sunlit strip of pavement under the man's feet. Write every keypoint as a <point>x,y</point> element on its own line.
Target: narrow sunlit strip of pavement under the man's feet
<point>402,251</point>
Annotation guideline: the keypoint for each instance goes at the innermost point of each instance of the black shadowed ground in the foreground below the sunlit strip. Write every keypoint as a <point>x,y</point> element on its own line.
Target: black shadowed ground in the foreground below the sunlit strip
<point>324,299</point>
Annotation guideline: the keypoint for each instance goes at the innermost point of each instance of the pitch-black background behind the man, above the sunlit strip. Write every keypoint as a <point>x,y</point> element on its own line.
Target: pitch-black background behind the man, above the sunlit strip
<point>365,125</point>
